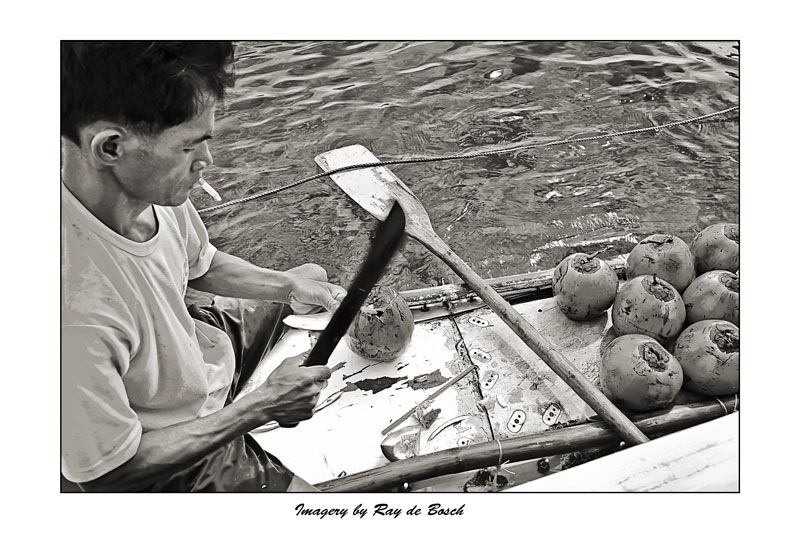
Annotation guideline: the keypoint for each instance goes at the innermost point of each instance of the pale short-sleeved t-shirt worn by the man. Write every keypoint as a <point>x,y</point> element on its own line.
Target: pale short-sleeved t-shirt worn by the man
<point>132,359</point>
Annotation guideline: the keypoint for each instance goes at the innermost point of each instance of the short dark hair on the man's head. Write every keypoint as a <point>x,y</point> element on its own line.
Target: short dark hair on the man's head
<point>147,86</point>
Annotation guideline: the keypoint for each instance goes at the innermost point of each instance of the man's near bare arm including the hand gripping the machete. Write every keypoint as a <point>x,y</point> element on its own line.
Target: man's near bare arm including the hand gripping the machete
<point>289,395</point>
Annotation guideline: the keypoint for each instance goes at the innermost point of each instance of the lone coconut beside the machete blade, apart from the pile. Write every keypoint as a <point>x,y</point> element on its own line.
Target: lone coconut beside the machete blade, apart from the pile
<point>382,330</point>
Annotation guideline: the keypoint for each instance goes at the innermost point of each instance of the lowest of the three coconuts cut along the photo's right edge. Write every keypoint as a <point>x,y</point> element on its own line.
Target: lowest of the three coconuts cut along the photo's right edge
<point>708,352</point>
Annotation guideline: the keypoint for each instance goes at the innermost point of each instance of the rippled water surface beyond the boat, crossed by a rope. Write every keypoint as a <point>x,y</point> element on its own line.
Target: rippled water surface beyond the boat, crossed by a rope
<point>503,214</point>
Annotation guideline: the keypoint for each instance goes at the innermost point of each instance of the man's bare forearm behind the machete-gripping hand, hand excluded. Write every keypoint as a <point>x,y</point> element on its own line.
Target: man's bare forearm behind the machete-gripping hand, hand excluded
<point>164,451</point>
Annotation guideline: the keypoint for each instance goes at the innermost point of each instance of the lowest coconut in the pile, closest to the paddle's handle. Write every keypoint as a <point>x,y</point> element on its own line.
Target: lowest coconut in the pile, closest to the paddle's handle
<point>637,373</point>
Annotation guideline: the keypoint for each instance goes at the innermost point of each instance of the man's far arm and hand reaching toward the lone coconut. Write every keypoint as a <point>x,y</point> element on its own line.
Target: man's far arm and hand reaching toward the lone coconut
<point>231,276</point>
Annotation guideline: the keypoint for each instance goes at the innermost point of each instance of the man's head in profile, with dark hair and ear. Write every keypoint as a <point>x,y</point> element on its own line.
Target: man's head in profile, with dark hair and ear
<point>141,112</point>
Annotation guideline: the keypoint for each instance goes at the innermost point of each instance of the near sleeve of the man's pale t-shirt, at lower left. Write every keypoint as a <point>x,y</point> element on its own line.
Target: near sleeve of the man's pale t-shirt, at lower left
<point>99,430</point>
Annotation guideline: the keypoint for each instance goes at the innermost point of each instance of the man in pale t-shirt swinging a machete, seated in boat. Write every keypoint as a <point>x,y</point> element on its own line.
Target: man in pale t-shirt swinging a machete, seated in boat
<point>147,383</point>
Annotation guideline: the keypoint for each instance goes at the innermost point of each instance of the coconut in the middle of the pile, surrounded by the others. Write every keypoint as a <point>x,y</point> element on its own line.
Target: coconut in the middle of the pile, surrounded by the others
<point>649,306</point>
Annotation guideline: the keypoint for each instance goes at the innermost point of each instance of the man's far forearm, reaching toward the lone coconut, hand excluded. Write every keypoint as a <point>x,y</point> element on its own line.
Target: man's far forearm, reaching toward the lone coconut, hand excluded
<point>231,276</point>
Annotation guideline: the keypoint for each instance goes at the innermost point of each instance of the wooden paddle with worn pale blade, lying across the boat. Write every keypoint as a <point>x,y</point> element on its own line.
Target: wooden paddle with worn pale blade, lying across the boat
<point>376,189</point>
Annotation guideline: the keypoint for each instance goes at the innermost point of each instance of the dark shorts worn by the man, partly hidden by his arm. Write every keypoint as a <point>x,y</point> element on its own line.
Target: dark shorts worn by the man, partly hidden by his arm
<point>241,465</point>
